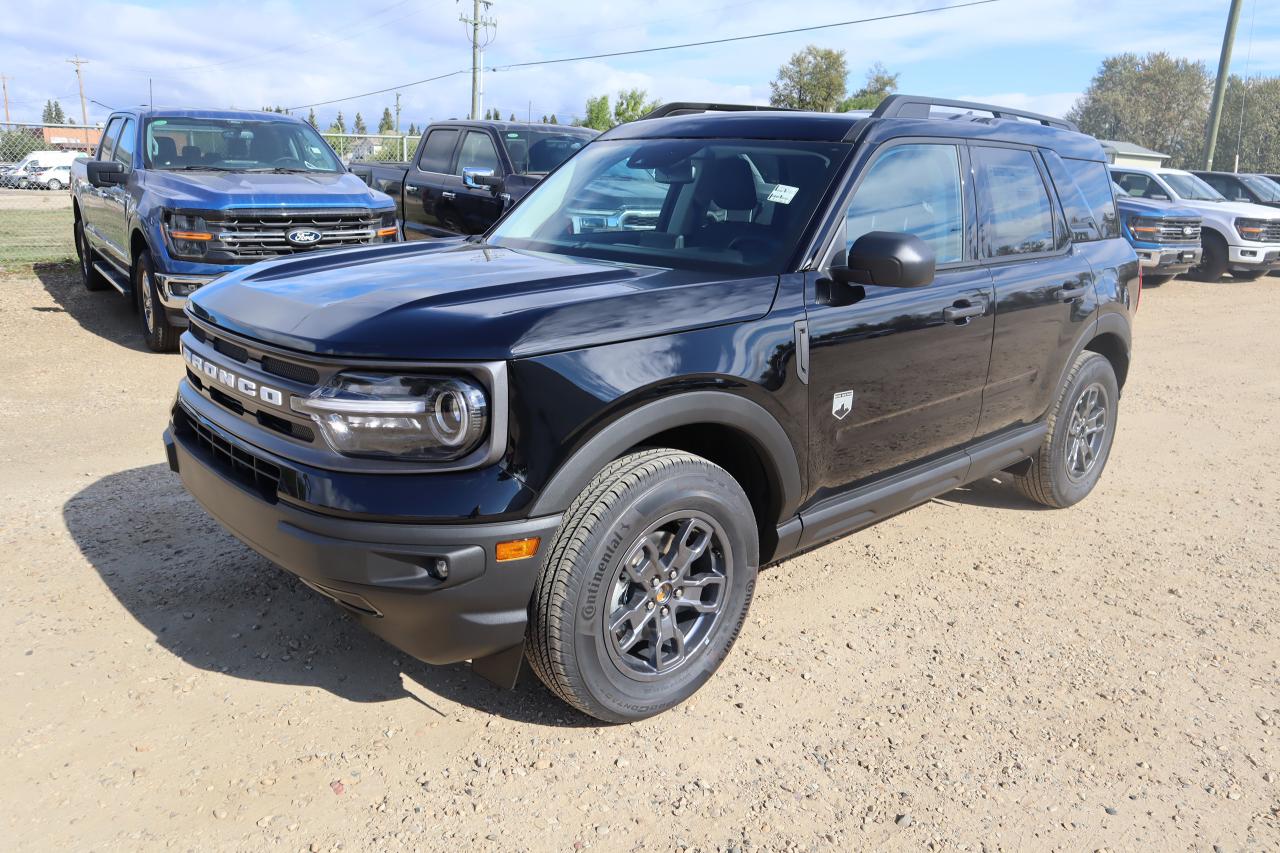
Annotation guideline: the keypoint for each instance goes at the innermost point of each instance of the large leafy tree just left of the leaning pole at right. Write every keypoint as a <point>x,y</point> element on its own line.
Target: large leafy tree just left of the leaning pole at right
<point>1158,102</point>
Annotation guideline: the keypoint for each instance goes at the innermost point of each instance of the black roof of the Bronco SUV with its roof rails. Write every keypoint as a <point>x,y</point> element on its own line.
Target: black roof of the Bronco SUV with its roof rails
<point>897,117</point>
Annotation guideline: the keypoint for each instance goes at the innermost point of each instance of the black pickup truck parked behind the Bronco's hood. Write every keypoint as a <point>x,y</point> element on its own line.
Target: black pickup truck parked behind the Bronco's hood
<point>467,175</point>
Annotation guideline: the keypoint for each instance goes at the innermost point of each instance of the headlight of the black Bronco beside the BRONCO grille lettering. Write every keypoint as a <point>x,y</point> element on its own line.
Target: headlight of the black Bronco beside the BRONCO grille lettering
<point>429,418</point>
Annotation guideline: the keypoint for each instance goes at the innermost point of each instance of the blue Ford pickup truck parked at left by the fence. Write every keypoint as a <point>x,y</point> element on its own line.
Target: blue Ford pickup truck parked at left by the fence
<point>172,199</point>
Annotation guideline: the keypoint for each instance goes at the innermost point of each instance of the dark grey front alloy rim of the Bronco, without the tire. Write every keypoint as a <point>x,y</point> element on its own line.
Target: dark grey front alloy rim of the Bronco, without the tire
<point>669,596</point>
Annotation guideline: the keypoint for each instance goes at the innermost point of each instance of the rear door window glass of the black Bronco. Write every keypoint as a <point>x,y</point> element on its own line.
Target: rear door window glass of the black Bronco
<point>1016,215</point>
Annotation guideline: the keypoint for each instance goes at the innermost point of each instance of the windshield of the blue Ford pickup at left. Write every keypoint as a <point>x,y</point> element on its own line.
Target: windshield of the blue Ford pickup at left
<point>235,145</point>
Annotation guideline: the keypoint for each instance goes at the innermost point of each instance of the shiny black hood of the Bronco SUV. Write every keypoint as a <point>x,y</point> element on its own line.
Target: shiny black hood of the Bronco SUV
<point>452,300</point>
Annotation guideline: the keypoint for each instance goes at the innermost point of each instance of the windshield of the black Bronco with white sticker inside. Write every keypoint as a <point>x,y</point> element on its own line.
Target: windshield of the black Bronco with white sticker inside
<point>726,206</point>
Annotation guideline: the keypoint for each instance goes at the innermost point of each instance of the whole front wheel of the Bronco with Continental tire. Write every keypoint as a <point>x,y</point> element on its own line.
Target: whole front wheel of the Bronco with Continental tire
<point>647,586</point>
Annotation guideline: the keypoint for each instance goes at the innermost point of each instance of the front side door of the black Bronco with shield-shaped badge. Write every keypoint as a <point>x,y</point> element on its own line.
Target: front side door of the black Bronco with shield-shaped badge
<point>897,375</point>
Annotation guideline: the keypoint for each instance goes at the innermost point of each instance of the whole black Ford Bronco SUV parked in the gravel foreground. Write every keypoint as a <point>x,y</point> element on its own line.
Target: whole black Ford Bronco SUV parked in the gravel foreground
<point>578,441</point>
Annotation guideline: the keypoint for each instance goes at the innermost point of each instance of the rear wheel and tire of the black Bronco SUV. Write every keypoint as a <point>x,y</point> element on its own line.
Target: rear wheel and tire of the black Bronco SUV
<point>1081,431</point>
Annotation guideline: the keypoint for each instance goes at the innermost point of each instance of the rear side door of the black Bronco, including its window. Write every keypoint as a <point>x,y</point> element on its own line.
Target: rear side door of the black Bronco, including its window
<point>1045,297</point>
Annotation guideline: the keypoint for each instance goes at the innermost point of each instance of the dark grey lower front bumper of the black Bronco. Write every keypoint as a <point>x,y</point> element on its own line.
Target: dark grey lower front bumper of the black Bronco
<point>380,571</point>
